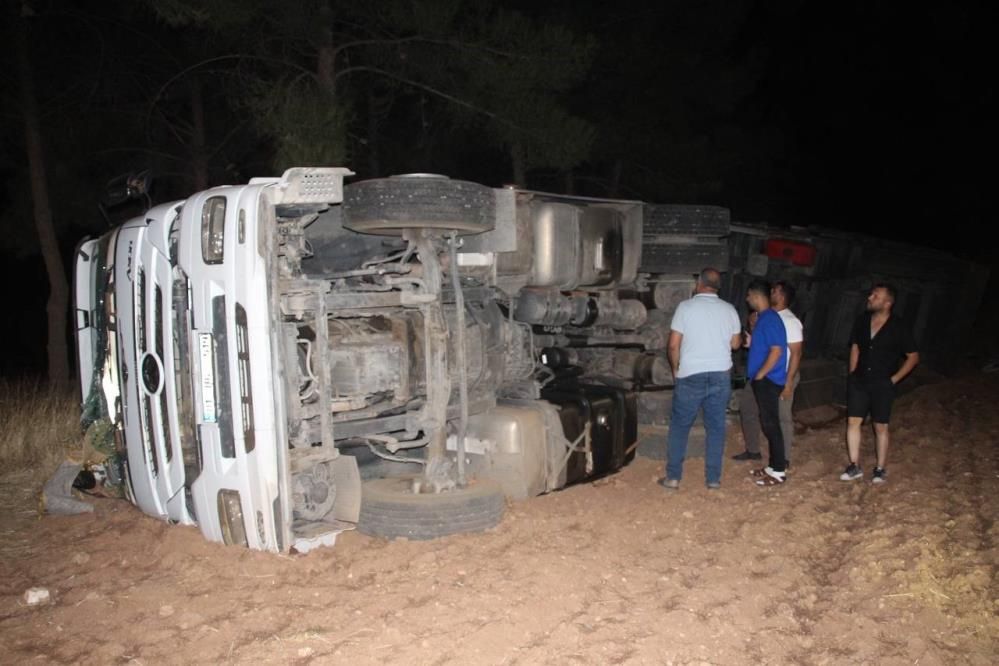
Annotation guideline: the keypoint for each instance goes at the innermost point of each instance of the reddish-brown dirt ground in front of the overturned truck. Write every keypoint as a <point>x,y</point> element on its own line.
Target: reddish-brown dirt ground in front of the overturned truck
<point>619,571</point>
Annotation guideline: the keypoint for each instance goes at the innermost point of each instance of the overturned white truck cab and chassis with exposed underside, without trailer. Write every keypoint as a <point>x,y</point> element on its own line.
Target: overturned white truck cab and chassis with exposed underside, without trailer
<point>279,361</point>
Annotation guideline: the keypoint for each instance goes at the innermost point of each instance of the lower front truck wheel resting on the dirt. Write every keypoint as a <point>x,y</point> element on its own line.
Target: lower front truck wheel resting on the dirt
<point>389,509</point>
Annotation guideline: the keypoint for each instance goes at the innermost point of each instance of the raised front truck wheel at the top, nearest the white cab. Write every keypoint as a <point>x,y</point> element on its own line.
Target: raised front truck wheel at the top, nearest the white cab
<point>388,205</point>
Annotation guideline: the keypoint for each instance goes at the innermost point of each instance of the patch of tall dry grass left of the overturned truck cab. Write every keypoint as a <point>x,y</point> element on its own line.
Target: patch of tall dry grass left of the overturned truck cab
<point>39,427</point>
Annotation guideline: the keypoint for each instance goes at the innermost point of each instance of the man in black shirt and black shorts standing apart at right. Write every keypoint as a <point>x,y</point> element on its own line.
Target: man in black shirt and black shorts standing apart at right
<point>878,344</point>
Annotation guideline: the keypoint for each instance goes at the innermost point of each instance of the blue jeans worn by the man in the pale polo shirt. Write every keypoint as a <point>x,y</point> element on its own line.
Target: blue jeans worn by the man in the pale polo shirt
<point>709,391</point>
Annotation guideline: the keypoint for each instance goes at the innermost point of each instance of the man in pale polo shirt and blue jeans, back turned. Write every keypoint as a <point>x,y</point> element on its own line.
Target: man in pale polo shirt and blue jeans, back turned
<point>704,332</point>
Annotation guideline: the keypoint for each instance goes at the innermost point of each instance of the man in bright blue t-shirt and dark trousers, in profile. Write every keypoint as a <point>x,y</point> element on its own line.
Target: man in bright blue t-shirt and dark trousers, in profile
<point>767,370</point>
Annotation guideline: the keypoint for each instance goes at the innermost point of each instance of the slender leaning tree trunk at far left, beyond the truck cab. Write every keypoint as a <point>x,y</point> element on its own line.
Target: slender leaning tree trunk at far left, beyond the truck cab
<point>58,301</point>
